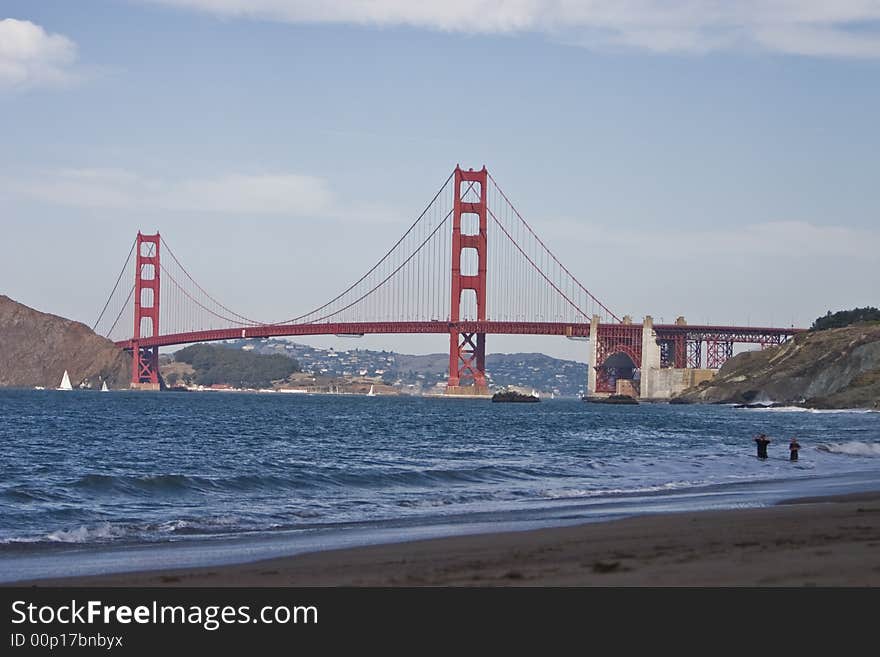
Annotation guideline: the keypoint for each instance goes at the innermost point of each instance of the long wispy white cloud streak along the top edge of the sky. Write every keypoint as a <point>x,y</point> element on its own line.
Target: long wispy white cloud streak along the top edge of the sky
<point>843,28</point>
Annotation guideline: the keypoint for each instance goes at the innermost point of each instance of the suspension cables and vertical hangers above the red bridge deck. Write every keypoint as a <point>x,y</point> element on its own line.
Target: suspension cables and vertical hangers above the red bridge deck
<point>521,278</point>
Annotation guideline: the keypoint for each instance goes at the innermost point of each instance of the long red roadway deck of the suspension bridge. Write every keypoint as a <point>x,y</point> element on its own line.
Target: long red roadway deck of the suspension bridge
<point>741,334</point>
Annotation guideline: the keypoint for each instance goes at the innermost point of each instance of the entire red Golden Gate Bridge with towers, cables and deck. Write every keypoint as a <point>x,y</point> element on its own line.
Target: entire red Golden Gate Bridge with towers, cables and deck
<point>469,266</point>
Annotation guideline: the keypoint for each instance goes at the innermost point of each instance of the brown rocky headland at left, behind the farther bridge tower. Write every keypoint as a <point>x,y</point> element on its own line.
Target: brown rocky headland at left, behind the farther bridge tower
<point>36,348</point>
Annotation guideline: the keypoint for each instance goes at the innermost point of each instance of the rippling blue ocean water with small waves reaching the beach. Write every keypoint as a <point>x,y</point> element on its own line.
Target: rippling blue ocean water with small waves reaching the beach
<point>97,482</point>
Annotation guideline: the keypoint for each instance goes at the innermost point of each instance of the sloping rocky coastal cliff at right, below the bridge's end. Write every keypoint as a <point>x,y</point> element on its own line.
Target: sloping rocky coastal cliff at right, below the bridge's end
<point>835,368</point>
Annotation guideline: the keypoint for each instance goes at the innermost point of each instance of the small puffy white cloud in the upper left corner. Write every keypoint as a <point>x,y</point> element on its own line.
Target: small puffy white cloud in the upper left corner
<point>31,57</point>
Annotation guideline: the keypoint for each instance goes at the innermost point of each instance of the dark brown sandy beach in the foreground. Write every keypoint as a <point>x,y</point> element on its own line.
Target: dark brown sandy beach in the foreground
<point>832,541</point>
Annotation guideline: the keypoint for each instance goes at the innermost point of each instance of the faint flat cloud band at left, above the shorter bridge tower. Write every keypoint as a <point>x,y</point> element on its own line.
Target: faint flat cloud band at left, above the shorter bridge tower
<point>281,194</point>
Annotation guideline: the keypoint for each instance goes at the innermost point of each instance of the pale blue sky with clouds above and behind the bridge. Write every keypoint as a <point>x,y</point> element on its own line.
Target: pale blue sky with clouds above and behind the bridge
<point>713,160</point>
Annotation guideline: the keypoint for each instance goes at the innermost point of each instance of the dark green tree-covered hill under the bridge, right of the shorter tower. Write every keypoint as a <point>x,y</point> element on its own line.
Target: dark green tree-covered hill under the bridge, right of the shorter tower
<point>218,365</point>
